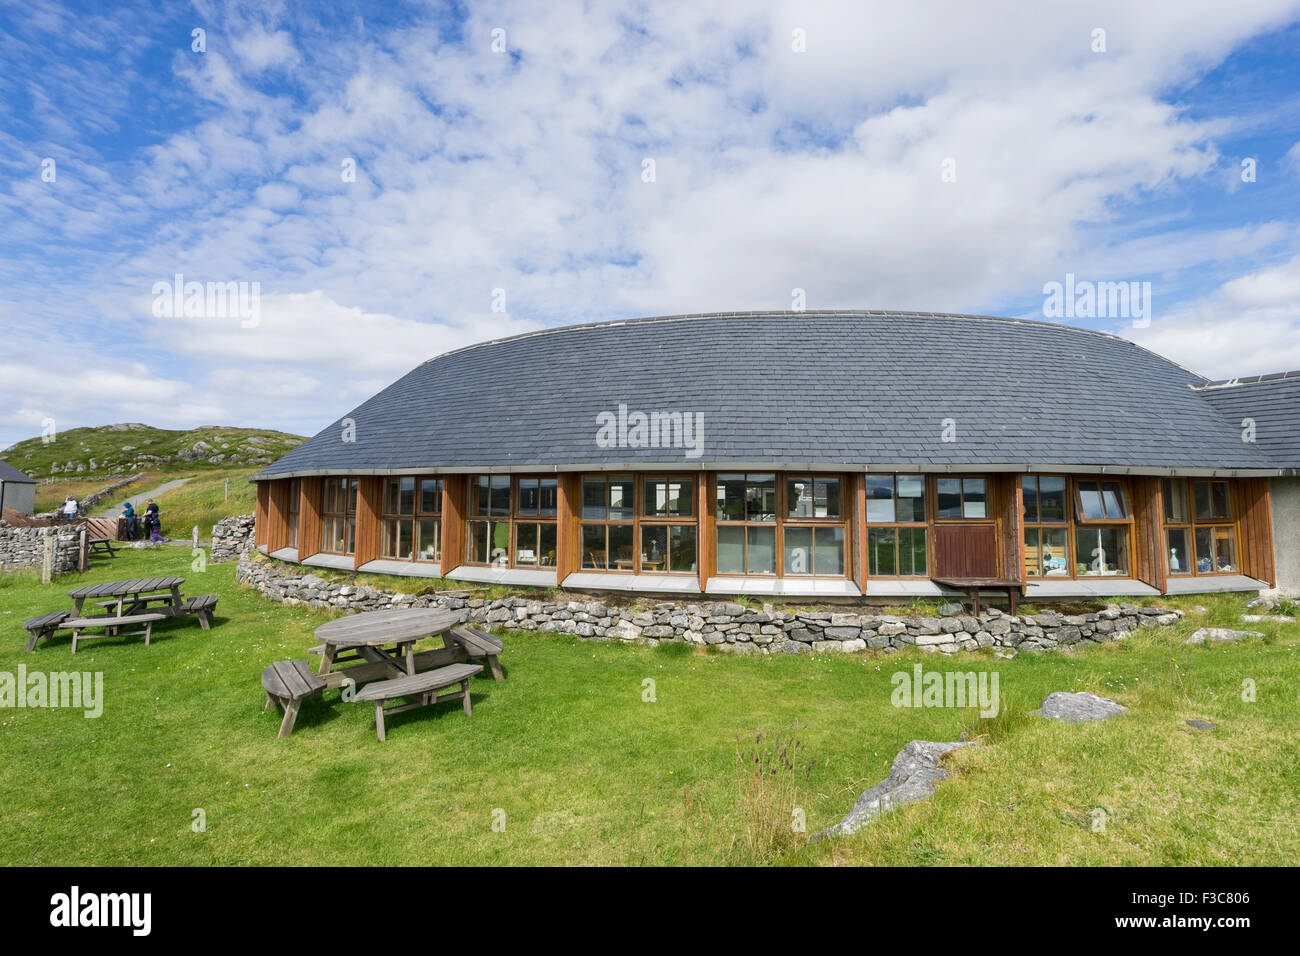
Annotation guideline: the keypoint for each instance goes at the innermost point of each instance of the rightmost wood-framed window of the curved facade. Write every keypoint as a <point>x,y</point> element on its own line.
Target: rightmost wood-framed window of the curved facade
<point>1199,533</point>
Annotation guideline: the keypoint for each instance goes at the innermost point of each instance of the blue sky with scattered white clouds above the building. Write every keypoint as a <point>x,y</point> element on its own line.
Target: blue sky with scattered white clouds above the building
<point>406,179</point>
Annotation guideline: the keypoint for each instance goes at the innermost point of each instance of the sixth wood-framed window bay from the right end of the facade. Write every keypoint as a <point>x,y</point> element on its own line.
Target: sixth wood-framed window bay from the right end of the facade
<point>513,521</point>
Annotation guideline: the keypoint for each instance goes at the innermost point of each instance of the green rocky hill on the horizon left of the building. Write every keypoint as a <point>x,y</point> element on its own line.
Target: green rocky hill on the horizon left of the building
<point>135,448</point>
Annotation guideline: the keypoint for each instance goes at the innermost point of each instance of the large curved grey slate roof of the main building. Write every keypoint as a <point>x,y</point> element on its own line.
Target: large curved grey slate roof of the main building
<point>817,388</point>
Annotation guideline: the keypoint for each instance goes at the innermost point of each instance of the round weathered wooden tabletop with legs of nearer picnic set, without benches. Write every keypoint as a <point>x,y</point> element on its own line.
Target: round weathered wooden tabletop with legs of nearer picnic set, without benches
<point>384,638</point>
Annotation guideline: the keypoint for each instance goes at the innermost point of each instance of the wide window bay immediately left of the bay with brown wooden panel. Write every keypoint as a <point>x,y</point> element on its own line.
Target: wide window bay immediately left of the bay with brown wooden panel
<point>781,525</point>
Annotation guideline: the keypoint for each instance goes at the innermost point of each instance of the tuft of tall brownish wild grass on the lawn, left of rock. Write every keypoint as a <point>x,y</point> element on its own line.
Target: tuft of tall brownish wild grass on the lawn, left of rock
<point>772,815</point>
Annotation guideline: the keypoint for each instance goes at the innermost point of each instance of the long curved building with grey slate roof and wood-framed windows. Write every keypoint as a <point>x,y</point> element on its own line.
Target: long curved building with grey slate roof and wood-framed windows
<point>818,455</point>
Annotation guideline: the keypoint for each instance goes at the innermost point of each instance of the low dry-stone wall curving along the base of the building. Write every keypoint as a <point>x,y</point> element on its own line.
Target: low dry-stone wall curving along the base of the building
<point>730,626</point>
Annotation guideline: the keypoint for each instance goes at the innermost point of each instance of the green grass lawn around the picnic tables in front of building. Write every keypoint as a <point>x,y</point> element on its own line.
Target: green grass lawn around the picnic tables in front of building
<point>587,772</point>
